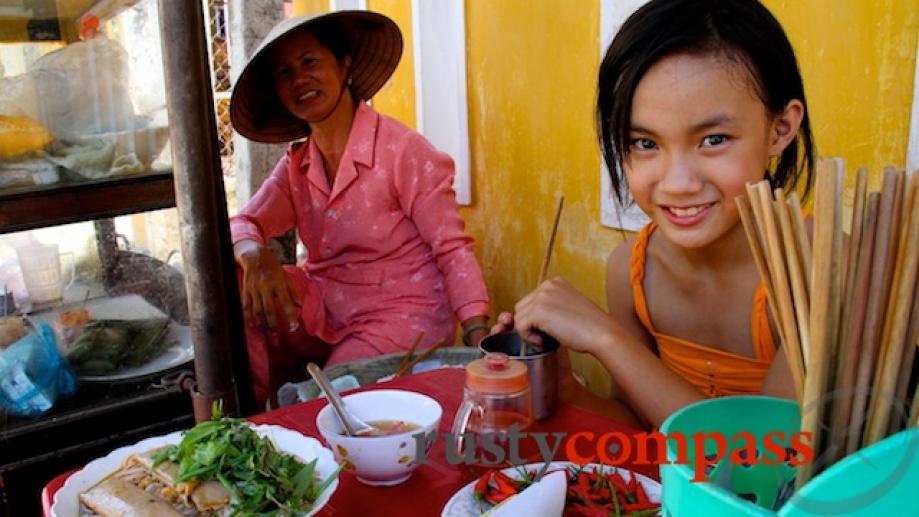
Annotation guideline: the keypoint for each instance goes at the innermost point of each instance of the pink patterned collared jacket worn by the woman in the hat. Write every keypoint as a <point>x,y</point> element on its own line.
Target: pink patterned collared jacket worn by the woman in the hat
<point>388,253</point>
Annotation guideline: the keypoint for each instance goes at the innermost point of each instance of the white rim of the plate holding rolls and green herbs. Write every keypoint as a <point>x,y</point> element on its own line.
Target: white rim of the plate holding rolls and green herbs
<point>66,500</point>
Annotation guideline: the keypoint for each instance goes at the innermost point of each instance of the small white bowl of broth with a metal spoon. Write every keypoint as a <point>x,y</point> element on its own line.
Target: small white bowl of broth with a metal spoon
<point>382,460</point>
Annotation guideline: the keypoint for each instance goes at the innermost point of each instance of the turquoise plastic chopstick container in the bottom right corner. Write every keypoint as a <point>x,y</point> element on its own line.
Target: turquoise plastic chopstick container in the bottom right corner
<point>882,479</point>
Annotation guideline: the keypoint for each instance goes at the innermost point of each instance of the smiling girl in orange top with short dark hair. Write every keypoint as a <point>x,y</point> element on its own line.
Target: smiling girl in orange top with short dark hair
<point>696,98</point>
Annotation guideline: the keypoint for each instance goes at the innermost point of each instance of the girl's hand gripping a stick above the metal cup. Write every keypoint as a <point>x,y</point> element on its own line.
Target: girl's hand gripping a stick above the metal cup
<point>560,310</point>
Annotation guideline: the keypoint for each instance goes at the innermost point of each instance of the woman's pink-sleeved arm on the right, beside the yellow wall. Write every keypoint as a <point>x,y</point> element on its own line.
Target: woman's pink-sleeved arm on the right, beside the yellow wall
<point>423,179</point>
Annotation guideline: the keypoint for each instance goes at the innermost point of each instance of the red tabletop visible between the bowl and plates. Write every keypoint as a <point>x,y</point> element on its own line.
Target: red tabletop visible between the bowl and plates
<point>432,485</point>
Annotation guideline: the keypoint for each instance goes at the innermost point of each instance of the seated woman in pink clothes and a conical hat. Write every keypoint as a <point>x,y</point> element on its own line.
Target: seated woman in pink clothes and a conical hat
<point>372,201</point>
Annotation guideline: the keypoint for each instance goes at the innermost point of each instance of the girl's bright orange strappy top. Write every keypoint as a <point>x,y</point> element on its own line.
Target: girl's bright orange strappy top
<point>714,372</point>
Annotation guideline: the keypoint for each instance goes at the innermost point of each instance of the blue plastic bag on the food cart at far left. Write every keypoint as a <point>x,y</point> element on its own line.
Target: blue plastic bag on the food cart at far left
<point>33,374</point>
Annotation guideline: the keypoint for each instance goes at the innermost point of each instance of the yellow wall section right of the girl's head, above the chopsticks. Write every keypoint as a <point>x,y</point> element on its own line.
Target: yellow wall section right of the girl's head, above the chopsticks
<point>858,60</point>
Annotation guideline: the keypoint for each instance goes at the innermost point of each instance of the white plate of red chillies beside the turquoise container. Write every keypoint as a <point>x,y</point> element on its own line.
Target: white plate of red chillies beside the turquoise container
<point>590,490</point>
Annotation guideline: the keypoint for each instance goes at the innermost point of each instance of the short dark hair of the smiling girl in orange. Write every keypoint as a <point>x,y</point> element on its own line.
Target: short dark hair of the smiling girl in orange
<point>742,30</point>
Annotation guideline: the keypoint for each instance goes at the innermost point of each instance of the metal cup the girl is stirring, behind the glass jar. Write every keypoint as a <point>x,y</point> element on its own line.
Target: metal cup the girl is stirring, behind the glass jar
<point>541,363</point>
